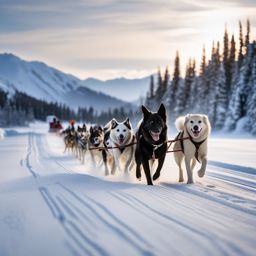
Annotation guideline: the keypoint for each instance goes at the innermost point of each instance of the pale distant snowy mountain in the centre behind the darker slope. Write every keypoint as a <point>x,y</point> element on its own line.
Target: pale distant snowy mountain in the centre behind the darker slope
<point>122,88</point>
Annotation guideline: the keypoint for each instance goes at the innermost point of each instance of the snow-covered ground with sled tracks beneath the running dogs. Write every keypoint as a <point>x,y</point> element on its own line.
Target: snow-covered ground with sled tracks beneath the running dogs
<point>50,204</point>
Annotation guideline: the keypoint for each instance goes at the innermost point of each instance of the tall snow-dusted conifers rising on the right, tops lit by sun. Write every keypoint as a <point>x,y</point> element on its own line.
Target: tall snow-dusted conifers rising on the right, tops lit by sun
<point>224,89</point>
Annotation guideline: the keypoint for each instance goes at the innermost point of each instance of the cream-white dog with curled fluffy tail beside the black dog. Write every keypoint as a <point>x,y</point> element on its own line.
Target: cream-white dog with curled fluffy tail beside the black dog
<point>197,128</point>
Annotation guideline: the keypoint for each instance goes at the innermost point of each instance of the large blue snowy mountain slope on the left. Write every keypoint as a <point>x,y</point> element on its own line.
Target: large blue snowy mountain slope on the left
<point>49,84</point>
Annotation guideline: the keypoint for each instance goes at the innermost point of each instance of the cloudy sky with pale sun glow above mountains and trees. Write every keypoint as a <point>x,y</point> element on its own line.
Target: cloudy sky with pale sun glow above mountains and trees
<point>114,38</point>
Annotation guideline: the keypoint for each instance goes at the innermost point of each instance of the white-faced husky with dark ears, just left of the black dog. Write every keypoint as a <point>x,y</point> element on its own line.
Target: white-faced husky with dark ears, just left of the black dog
<point>118,135</point>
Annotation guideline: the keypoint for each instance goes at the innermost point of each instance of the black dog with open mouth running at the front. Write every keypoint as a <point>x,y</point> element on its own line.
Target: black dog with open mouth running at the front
<point>151,142</point>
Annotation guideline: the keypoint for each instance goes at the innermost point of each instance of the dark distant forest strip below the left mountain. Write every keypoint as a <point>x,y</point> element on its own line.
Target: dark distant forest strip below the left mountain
<point>20,109</point>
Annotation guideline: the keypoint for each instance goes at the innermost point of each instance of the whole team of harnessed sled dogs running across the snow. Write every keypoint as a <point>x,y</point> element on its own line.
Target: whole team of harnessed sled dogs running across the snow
<point>117,143</point>
